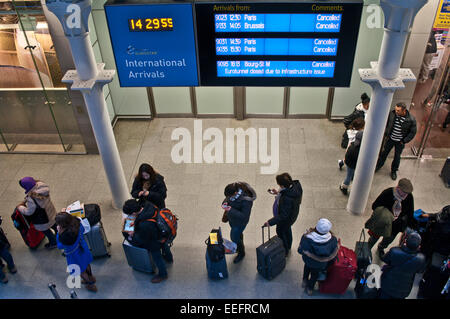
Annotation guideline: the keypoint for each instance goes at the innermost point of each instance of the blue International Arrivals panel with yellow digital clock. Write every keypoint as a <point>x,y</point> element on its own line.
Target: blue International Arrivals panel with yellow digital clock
<point>153,44</point>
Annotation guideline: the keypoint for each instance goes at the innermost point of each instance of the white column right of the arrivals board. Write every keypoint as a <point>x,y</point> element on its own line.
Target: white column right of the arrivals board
<point>385,77</point>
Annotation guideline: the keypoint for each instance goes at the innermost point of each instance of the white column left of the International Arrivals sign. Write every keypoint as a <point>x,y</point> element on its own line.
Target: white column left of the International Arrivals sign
<point>89,78</point>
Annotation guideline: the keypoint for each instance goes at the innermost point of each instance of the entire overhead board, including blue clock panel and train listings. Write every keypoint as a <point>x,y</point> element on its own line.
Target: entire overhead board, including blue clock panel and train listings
<point>243,43</point>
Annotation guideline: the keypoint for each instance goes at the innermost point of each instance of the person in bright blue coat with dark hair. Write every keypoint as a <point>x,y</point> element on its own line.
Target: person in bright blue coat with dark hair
<point>70,237</point>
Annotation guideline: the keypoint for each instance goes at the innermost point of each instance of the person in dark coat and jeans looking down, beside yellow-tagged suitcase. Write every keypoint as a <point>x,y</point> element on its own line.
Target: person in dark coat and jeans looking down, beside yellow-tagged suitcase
<point>237,205</point>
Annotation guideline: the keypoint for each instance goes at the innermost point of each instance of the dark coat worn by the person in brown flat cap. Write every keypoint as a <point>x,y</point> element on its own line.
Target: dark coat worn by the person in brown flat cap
<point>406,217</point>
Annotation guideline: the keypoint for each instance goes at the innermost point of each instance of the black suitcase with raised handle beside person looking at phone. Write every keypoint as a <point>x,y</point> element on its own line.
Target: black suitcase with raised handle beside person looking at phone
<point>271,257</point>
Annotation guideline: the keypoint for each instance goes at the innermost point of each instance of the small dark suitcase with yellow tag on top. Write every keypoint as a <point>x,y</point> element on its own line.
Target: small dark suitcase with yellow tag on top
<point>216,263</point>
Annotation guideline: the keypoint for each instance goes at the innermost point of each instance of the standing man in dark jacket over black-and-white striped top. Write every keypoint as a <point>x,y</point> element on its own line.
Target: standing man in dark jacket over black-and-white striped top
<point>400,130</point>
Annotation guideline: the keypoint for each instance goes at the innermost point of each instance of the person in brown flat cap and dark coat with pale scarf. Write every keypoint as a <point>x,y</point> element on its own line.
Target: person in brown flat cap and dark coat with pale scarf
<point>400,201</point>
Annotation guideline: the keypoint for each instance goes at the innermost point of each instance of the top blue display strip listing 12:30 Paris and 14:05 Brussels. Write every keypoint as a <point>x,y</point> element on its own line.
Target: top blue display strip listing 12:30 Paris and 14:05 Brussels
<point>283,22</point>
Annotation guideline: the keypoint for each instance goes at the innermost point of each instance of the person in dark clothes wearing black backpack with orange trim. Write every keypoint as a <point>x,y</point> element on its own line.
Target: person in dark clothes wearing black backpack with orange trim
<point>146,234</point>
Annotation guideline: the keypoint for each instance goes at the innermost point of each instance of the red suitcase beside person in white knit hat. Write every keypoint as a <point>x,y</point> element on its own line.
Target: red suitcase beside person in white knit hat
<point>341,273</point>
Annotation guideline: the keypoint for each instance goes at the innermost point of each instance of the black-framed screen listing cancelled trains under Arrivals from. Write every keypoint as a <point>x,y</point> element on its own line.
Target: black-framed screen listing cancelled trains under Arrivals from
<point>288,43</point>
